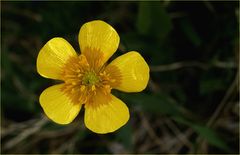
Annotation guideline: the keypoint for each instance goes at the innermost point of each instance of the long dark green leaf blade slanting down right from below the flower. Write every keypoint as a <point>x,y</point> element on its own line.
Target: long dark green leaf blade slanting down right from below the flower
<point>163,105</point>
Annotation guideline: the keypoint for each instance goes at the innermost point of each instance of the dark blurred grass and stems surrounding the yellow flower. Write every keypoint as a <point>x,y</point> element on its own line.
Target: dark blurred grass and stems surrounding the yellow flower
<point>191,104</point>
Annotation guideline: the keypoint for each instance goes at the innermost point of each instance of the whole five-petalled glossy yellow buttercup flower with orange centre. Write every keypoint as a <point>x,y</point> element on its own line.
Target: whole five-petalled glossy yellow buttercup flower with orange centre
<point>87,80</point>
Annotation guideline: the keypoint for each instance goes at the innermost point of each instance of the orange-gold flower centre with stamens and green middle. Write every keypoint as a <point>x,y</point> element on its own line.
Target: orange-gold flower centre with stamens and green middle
<point>84,79</point>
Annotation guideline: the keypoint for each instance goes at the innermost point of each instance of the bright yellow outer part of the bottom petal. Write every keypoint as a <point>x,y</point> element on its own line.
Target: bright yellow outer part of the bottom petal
<point>106,117</point>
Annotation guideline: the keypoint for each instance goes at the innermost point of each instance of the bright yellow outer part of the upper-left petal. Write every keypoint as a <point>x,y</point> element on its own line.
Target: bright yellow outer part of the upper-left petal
<point>53,56</point>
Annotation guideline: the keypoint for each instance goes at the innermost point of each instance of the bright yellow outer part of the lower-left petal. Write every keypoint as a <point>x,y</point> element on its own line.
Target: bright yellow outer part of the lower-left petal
<point>57,106</point>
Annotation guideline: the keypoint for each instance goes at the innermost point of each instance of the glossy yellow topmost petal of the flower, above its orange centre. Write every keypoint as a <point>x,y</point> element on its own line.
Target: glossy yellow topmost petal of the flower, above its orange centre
<point>98,36</point>
